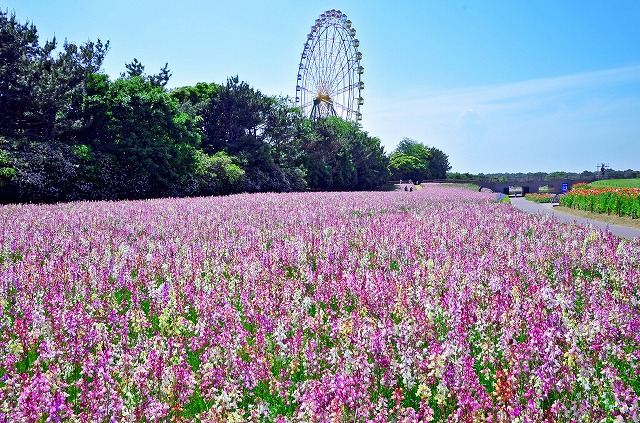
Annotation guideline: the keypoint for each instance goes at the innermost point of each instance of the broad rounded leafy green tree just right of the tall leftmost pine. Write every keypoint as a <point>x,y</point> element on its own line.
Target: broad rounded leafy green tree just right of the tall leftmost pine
<point>146,144</point>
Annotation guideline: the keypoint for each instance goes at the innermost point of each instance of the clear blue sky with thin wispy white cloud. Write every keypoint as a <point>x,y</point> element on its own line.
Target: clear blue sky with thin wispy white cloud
<point>499,86</point>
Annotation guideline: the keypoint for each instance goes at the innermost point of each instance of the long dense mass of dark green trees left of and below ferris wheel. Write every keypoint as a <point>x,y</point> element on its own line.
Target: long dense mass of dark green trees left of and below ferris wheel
<point>69,132</point>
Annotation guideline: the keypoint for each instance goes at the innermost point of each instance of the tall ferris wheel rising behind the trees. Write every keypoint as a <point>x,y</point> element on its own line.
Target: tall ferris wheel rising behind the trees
<point>330,73</point>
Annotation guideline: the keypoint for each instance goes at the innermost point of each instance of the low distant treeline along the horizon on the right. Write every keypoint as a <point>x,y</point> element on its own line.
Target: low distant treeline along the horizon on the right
<point>544,176</point>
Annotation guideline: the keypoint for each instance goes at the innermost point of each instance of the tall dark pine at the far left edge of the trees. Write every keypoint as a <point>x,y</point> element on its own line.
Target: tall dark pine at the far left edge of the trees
<point>39,92</point>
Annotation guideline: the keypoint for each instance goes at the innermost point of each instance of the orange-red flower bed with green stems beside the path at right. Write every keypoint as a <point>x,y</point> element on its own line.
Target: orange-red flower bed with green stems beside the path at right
<point>621,201</point>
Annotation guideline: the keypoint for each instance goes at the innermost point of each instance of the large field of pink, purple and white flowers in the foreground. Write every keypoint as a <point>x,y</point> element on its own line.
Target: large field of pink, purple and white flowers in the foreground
<point>435,305</point>
